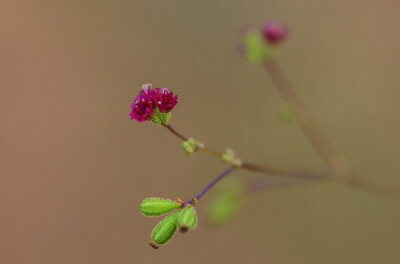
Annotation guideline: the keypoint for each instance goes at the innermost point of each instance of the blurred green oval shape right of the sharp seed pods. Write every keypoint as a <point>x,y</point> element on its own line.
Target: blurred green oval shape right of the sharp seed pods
<point>227,202</point>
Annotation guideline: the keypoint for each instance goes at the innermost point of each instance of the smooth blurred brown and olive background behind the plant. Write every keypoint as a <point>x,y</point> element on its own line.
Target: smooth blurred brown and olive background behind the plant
<point>74,168</point>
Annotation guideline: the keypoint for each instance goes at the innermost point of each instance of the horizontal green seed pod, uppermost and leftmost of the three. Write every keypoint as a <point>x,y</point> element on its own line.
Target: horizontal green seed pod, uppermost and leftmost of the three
<point>158,206</point>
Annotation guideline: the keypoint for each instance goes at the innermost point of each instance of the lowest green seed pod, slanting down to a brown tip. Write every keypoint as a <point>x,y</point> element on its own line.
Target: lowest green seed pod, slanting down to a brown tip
<point>164,231</point>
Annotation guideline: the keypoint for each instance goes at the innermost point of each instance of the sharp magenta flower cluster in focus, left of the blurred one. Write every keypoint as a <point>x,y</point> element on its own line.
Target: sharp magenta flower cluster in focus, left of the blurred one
<point>150,100</point>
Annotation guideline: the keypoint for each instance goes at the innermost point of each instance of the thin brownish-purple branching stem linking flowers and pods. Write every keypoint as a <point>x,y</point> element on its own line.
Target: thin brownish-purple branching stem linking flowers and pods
<point>340,172</point>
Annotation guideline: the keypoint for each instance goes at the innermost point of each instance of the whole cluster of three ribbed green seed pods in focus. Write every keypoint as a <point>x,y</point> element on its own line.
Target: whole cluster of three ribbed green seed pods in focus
<point>181,216</point>
